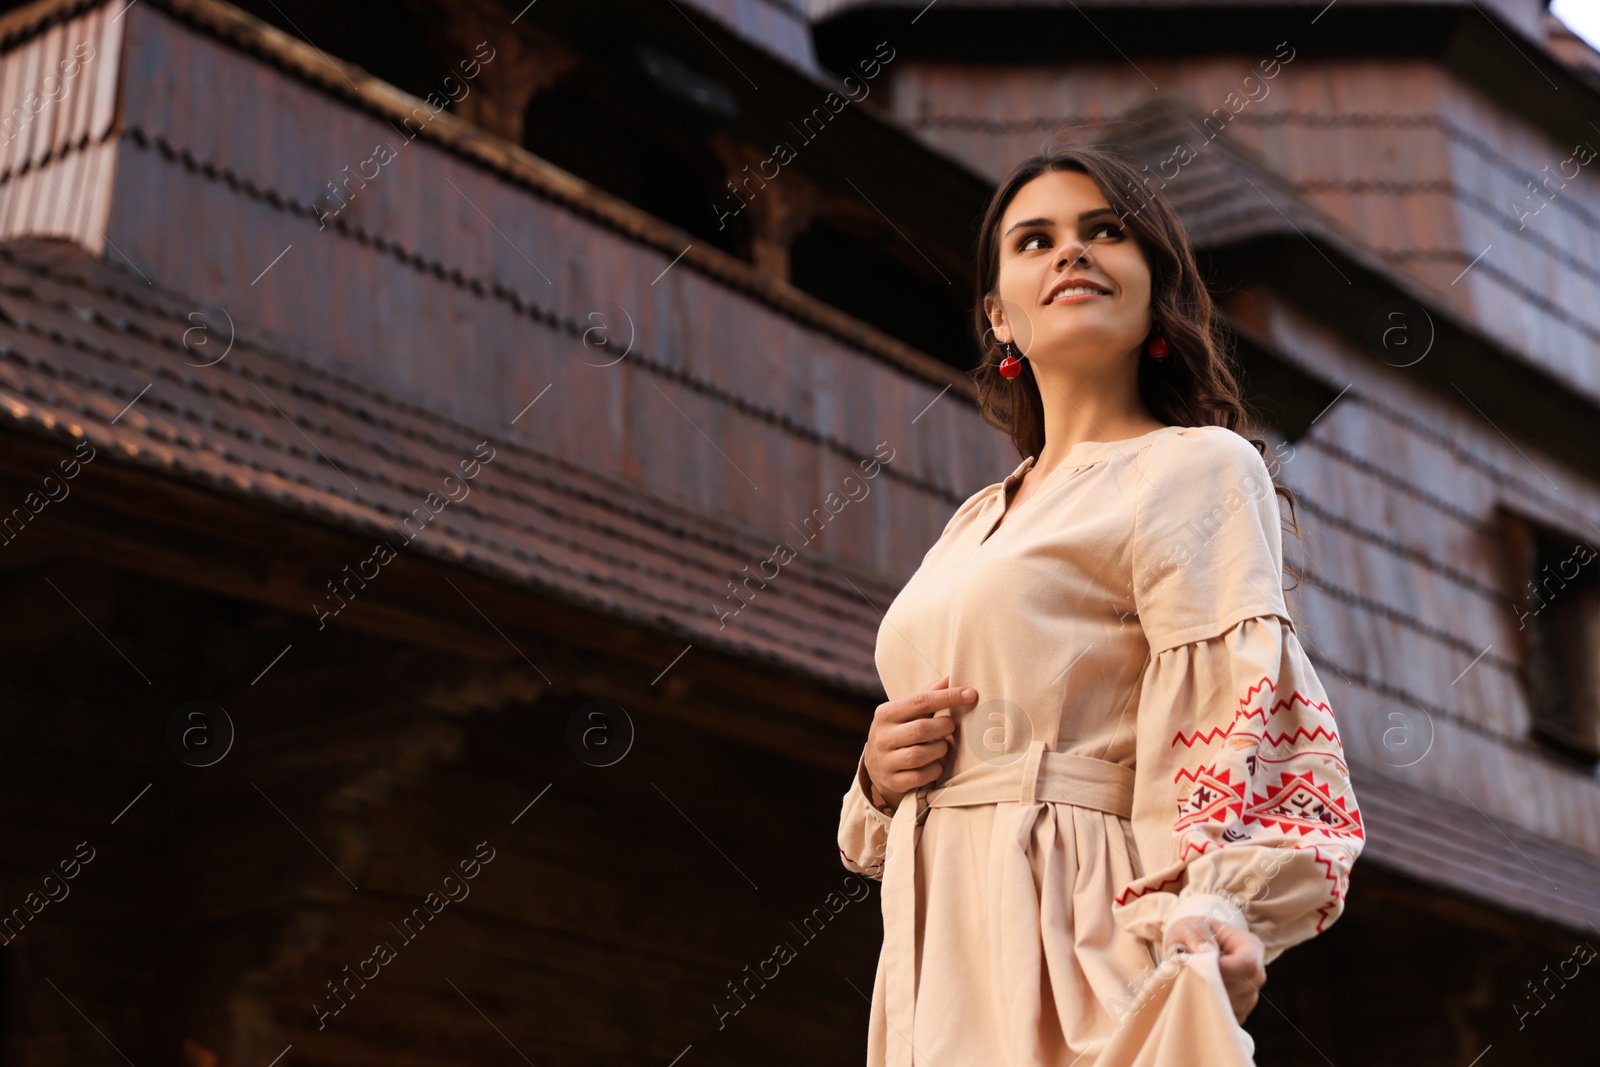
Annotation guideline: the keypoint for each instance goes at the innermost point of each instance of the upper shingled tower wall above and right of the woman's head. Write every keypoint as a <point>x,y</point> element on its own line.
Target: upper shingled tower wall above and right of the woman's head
<point>1420,167</point>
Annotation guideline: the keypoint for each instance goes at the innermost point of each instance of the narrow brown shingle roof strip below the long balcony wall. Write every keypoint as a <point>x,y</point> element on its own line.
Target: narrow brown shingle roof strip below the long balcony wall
<point>90,351</point>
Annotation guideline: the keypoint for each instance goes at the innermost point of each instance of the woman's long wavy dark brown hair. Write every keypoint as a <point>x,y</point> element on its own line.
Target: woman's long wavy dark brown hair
<point>1194,386</point>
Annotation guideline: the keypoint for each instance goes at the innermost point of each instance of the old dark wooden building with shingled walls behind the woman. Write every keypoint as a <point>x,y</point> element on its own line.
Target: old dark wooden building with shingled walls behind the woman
<point>441,382</point>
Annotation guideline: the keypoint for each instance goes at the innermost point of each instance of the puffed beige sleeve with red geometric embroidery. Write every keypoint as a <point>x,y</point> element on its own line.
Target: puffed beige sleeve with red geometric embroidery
<point>1242,799</point>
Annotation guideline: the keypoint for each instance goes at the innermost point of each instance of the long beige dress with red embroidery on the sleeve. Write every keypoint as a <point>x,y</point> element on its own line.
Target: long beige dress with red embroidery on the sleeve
<point>1150,741</point>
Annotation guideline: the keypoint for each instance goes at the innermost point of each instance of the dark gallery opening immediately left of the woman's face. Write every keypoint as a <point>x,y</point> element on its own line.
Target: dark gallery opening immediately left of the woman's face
<point>876,289</point>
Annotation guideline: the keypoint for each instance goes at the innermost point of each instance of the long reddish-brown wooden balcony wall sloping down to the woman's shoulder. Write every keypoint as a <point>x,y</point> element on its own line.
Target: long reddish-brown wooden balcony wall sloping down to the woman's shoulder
<point>471,295</point>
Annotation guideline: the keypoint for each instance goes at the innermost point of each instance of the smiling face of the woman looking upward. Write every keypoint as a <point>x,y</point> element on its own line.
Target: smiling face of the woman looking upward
<point>1074,286</point>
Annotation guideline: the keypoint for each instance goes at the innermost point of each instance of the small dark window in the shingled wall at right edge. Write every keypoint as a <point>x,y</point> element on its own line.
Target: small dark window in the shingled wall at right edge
<point>1559,620</point>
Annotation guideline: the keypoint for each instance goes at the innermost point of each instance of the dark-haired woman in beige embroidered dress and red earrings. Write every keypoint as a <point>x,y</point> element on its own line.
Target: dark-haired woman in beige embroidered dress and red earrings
<point>1103,743</point>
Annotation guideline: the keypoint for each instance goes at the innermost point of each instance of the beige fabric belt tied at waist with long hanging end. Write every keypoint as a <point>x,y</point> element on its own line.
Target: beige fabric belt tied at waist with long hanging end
<point>1038,778</point>
